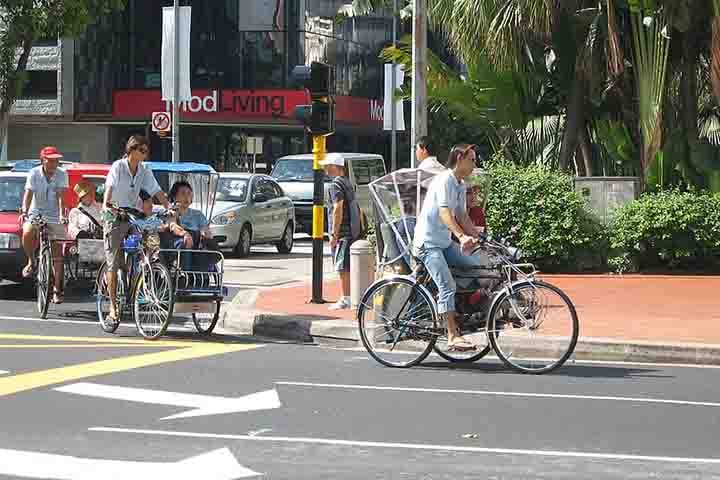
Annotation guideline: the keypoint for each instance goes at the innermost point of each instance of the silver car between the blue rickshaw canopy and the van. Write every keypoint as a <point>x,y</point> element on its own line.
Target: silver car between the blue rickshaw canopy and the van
<point>252,209</point>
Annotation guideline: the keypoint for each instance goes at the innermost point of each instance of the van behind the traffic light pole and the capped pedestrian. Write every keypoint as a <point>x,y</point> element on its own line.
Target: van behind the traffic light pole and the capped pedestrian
<point>294,173</point>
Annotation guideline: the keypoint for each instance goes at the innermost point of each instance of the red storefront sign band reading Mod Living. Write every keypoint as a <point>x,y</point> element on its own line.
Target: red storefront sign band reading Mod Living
<point>241,105</point>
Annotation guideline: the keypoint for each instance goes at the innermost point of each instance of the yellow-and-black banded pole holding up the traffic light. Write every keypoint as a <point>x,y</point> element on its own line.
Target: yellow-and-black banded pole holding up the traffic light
<point>318,217</point>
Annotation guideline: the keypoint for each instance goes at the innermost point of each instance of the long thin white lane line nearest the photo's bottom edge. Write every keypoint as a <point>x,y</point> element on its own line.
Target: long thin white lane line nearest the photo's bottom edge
<point>413,446</point>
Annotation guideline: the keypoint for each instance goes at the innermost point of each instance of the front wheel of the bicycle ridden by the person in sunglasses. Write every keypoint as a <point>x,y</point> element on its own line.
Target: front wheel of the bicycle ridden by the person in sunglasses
<point>153,301</point>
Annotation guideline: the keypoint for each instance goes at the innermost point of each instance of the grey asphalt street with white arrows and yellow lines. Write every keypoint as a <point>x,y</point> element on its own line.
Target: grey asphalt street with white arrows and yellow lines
<point>77,403</point>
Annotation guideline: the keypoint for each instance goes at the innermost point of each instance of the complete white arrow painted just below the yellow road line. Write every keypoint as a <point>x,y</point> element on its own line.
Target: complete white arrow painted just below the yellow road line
<point>201,404</point>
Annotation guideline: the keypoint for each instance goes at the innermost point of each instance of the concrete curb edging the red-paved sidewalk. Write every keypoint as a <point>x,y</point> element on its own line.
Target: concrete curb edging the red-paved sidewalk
<point>302,328</point>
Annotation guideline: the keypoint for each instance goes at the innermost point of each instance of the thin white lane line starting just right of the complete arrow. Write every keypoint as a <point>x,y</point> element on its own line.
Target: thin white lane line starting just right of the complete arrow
<point>504,394</point>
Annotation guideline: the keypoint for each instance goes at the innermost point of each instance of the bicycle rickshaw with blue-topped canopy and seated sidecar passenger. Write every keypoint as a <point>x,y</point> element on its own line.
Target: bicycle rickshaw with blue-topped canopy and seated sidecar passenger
<point>160,283</point>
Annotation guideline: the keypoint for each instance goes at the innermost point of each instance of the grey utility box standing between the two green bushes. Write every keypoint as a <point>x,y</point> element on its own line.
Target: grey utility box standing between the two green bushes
<point>604,195</point>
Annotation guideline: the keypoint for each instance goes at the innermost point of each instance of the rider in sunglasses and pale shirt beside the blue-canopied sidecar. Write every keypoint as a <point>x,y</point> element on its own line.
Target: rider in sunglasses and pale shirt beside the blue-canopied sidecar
<point>127,177</point>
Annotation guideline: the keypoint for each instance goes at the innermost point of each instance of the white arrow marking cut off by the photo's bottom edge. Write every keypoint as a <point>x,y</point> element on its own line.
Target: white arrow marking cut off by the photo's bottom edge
<point>216,465</point>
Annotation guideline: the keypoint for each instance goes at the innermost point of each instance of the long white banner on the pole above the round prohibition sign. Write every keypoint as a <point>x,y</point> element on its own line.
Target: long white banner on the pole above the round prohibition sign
<point>168,54</point>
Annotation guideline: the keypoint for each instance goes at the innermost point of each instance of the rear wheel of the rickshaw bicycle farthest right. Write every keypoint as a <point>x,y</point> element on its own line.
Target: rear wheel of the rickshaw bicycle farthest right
<point>397,322</point>
